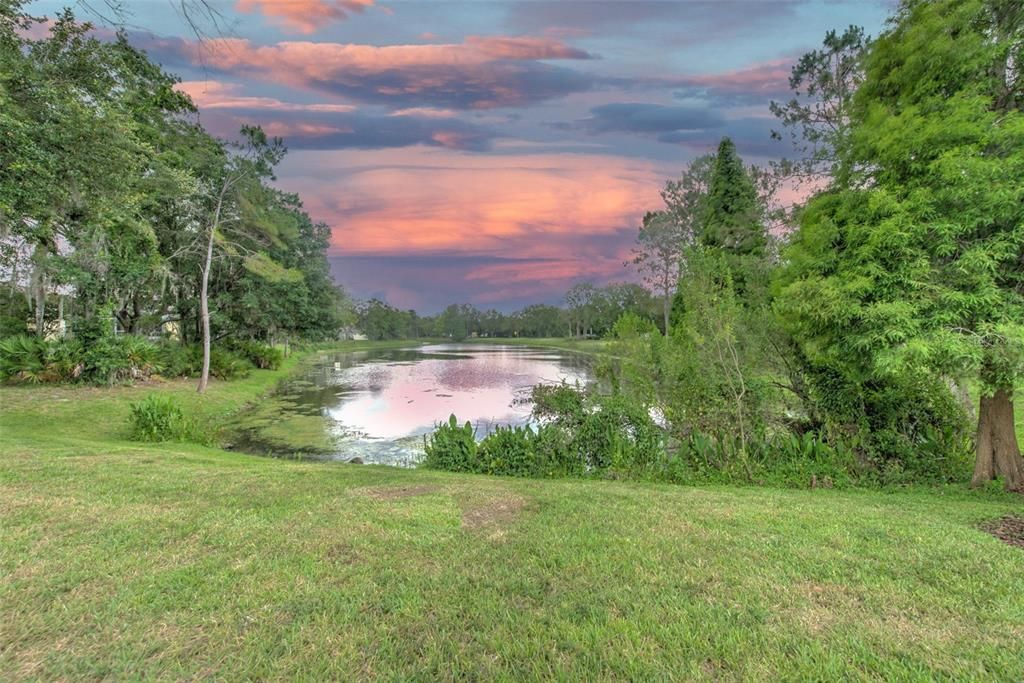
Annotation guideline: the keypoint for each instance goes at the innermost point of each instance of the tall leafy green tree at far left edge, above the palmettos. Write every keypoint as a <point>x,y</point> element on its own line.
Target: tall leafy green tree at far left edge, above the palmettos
<point>70,92</point>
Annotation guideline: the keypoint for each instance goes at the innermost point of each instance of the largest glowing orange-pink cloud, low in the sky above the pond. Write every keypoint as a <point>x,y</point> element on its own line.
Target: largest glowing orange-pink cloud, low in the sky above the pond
<point>530,206</point>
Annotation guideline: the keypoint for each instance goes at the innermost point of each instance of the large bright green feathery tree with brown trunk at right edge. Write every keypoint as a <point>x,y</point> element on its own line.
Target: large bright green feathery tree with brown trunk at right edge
<point>911,265</point>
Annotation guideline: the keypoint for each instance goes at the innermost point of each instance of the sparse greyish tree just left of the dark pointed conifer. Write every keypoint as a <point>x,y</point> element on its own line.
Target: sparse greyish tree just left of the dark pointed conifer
<point>659,255</point>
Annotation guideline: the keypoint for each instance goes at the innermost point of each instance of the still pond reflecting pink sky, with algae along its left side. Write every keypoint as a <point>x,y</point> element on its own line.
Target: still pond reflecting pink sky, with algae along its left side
<point>378,405</point>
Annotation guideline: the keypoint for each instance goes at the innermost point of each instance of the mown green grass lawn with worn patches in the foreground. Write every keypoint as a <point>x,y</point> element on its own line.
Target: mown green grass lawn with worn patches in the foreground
<point>124,562</point>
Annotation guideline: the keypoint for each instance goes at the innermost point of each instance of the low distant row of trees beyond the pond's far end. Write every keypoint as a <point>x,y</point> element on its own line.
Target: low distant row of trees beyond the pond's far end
<point>590,312</point>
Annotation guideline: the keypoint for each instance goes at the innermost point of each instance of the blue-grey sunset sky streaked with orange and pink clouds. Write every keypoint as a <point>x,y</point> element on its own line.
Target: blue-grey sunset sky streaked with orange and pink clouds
<point>492,153</point>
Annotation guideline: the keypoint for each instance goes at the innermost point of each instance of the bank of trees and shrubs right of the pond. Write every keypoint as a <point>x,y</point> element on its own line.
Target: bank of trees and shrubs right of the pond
<point>845,349</point>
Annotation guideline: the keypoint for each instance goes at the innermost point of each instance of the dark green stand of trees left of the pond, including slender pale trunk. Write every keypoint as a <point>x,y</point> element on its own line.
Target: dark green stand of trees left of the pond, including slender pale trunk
<point>121,217</point>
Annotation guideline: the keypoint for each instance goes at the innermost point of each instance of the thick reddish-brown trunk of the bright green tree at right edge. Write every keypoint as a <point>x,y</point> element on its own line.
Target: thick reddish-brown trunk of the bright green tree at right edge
<point>998,451</point>
